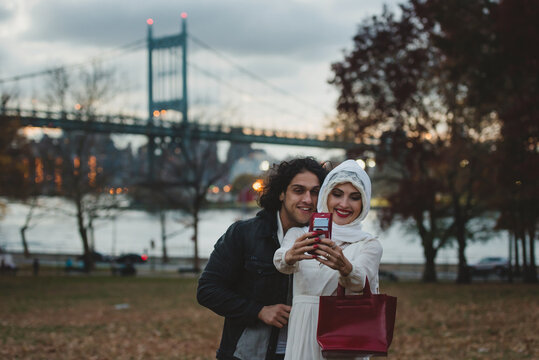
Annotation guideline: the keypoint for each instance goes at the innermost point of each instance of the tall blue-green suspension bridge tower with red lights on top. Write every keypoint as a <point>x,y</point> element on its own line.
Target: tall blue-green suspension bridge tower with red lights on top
<point>167,83</point>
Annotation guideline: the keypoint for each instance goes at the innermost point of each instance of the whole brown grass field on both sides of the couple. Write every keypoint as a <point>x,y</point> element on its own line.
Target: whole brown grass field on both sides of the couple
<point>103,317</point>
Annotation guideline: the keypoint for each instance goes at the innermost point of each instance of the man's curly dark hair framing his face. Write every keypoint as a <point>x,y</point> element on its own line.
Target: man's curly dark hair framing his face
<point>279,177</point>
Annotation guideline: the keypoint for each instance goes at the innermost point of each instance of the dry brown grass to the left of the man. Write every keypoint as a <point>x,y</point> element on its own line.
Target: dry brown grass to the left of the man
<point>76,318</point>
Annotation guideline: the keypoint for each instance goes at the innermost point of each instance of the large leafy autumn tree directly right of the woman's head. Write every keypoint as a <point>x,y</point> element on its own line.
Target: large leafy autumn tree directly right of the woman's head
<point>399,99</point>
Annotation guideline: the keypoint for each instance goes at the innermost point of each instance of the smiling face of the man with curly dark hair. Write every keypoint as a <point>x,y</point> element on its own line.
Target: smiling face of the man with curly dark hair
<point>299,200</point>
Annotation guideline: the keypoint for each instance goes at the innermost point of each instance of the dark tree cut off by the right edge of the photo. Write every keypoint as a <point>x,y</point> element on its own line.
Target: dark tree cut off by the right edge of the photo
<point>519,111</point>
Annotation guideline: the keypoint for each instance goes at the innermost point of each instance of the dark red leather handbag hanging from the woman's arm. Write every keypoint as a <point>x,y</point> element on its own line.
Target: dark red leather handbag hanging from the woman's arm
<point>356,325</point>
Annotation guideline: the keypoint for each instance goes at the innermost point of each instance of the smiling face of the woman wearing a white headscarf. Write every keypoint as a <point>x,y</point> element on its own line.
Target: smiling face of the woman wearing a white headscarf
<point>344,202</point>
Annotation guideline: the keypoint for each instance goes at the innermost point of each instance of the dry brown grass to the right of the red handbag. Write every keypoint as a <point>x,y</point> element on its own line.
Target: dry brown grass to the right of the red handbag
<point>479,321</point>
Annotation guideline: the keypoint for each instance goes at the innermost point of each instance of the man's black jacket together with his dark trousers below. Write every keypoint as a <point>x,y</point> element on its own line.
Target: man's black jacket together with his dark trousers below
<point>240,279</point>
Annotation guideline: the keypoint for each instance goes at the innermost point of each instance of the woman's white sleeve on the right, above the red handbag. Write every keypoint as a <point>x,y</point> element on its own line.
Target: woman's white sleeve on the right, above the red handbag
<point>365,263</point>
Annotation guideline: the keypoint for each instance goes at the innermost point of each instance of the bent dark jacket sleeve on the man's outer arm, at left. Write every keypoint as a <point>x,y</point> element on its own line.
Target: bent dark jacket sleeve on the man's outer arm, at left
<point>216,289</point>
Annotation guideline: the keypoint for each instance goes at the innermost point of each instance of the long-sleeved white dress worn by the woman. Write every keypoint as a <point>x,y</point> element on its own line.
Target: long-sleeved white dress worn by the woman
<point>312,279</point>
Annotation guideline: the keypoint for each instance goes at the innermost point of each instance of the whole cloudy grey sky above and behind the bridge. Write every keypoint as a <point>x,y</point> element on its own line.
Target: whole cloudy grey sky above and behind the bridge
<point>288,43</point>
